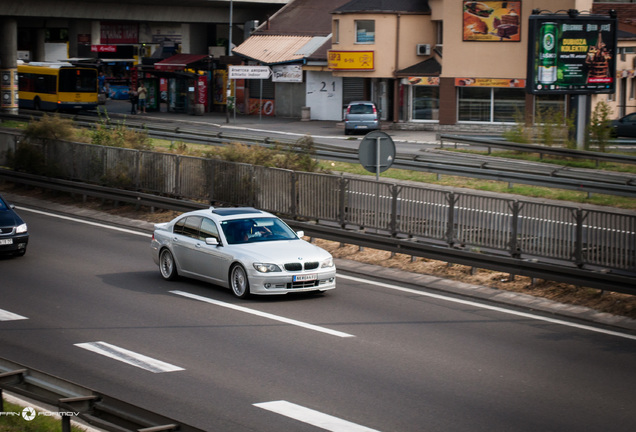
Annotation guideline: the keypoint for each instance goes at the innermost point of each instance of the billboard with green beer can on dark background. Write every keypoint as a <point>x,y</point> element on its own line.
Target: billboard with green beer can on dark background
<point>571,55</point>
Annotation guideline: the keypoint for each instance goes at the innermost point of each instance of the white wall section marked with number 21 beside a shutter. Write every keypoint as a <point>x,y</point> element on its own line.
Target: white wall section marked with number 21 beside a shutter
<point>324,96</point>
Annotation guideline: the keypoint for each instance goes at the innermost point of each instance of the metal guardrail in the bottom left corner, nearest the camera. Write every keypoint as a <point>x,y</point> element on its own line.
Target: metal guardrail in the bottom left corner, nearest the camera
<point>72,400</point>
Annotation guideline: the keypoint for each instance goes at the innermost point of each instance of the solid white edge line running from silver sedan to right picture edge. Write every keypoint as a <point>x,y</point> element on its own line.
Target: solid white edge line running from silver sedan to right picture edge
<point>494,308</point>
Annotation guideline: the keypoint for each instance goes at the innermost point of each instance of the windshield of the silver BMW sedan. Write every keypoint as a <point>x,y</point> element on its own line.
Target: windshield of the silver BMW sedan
<point>251,230</point>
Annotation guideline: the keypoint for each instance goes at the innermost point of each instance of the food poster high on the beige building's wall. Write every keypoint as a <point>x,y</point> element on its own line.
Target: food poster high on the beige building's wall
<point>492,21</point>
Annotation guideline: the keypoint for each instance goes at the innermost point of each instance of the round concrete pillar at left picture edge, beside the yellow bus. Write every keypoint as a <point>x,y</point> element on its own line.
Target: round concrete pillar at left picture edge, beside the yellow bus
<point>9,65</point>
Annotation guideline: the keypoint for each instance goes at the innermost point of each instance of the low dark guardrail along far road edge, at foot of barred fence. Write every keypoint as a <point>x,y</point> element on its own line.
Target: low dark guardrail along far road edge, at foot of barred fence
<point>489,258</point>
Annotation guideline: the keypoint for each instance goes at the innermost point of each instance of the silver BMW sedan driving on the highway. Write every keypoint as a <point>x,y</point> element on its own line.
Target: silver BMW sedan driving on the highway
<point>241,248</point>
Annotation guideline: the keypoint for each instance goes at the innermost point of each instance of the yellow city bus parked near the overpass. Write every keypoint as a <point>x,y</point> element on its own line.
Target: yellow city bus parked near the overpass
<point>57,86</point>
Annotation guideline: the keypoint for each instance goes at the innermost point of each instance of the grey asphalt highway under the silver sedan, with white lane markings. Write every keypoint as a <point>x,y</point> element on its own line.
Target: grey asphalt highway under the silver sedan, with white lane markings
<point>374,354</point>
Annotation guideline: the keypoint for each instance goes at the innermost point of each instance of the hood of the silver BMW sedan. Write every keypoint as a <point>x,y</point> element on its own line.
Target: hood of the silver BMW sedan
<point>281,252</point>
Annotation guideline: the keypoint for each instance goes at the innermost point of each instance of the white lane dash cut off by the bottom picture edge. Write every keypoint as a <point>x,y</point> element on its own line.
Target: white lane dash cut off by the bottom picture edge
<point>312,417</point>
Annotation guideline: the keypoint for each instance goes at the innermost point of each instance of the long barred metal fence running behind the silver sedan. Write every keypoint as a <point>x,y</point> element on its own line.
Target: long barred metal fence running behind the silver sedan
<point>521,229</point>
